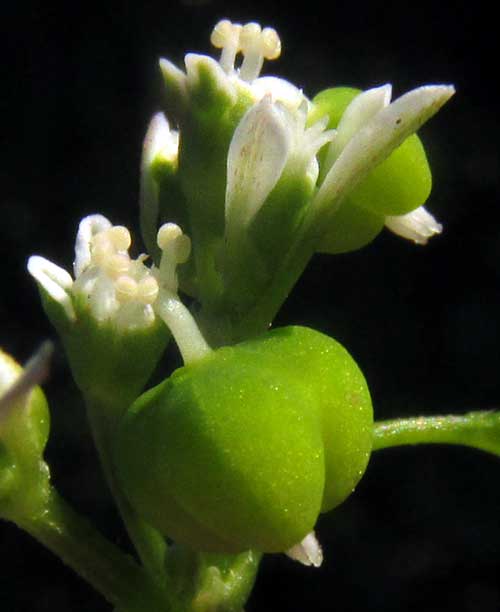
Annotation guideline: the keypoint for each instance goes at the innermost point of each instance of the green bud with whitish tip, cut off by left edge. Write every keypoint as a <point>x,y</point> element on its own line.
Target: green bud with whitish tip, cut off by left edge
<point>24,429</point>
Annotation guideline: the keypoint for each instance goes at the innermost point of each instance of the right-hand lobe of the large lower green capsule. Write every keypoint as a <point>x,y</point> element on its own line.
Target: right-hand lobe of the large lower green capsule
<point>328,370</point>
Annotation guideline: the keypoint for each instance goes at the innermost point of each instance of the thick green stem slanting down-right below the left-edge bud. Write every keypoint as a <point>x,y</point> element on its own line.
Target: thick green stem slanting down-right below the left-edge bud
<point>75,540</point>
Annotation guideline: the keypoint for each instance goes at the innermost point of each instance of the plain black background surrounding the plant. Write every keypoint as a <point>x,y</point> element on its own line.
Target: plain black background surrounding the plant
<point>422,532</point>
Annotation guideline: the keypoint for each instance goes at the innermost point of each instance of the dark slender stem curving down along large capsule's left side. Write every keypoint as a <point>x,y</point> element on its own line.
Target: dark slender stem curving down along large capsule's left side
<point>149,544</point>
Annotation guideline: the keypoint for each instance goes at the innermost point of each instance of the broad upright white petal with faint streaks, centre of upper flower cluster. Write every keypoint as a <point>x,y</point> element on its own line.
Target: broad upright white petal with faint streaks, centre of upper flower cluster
<point>257,155</point>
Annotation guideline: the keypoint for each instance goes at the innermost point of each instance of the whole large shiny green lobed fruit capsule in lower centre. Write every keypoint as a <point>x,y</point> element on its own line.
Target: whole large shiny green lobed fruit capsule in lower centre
<point>244,448</point>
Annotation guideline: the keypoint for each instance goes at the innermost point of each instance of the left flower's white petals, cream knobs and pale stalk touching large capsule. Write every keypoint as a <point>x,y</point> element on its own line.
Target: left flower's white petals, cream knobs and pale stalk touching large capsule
<point>119,289</point>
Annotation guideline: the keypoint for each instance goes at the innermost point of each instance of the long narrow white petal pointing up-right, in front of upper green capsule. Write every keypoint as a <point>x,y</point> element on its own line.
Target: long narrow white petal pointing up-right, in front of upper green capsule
<point>377,139</point>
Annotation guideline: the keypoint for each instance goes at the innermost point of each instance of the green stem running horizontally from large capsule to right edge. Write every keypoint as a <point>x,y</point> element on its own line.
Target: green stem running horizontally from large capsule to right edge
<point>475,429</point>
